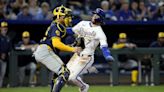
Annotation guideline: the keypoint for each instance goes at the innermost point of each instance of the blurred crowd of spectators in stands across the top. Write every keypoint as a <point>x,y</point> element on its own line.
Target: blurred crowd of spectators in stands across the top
<point>121,10</point>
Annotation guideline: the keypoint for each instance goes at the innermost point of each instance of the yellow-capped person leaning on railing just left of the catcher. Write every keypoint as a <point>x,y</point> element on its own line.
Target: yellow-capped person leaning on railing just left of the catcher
<point>26,62</point>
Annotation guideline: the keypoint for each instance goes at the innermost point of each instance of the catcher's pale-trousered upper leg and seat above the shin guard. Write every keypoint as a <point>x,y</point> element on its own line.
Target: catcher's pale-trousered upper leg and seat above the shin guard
<point>48,58</point>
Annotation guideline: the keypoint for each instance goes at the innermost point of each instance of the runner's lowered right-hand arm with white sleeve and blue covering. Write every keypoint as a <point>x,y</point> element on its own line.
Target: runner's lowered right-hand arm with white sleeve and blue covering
<point>104,47</point>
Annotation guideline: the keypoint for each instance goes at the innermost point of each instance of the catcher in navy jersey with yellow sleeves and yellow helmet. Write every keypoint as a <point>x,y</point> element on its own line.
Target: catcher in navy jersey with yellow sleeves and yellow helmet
<point>47,52</point>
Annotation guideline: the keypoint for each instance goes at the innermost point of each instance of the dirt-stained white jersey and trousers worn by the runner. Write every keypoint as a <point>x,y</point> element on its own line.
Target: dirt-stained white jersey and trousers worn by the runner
<point>93,35</point>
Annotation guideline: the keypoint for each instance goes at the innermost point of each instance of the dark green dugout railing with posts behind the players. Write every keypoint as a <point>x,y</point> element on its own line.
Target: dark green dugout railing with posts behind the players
<point>156,52</point>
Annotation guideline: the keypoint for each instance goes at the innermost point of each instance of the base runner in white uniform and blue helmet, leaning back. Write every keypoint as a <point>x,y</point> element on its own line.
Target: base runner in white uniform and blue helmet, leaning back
<point>92,34</point>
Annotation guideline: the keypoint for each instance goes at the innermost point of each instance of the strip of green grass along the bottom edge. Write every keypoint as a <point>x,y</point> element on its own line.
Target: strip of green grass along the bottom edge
<point>92,89</point>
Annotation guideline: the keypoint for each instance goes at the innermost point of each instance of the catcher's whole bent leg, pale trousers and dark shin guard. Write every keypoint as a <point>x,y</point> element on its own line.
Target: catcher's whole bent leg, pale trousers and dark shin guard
<point>54,63</point>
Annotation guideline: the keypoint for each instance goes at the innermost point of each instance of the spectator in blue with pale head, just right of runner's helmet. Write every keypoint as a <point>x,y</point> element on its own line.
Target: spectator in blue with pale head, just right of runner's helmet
<point>109,14</point>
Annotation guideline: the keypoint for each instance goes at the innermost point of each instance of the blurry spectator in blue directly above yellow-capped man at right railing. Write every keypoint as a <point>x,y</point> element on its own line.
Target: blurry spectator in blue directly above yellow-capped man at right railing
<point>125,14</point>
